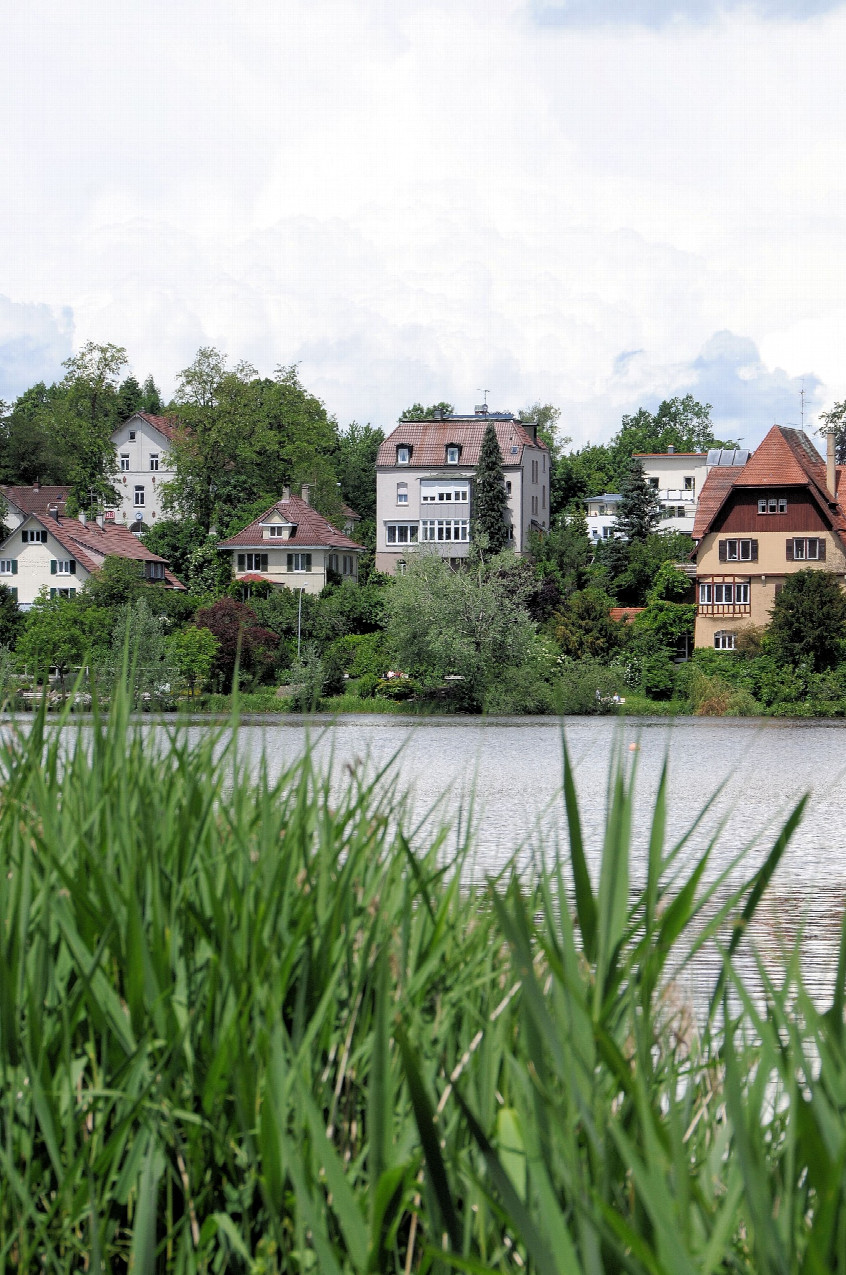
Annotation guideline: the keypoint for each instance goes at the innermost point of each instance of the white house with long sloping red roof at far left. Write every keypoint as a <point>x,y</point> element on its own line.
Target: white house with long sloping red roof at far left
<point>58,554</point>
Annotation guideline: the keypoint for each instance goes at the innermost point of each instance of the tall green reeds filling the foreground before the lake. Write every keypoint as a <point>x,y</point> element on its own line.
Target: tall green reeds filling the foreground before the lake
<point>262,1027</point>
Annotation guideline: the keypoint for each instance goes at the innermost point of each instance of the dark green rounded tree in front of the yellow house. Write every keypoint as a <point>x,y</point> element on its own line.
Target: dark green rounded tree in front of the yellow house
<point>810,622</point>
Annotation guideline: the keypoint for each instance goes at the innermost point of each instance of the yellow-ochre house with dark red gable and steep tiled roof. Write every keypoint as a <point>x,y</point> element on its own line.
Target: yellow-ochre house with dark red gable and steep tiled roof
<point>757,523</point>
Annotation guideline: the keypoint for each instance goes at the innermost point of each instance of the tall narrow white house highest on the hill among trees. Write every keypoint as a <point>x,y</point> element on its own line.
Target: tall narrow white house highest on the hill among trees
<point>143,447</point>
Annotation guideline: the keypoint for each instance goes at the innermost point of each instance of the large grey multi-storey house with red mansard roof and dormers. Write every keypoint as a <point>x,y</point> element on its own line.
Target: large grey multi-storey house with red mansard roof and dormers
<point>425,472</point>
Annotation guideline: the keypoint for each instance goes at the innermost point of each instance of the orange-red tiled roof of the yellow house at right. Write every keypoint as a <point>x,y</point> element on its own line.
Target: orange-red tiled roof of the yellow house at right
<point>787,458</point>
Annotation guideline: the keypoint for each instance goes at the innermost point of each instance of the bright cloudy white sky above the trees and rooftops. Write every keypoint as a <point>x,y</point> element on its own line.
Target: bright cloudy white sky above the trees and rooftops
<point>591,203</point>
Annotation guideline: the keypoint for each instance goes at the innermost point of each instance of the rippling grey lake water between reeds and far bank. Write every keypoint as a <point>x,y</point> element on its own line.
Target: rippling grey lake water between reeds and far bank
<point>505,777</point>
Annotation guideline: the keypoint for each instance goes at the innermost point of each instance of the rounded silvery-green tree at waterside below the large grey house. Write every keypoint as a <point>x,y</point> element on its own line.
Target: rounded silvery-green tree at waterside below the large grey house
<point>461,624</point>
